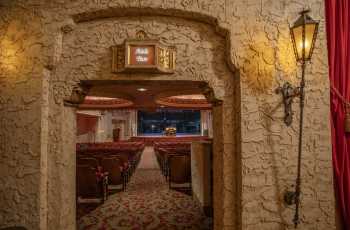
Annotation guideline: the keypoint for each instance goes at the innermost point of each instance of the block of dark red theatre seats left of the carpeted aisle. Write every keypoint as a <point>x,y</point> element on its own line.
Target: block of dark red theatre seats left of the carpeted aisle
<point>105,167</point>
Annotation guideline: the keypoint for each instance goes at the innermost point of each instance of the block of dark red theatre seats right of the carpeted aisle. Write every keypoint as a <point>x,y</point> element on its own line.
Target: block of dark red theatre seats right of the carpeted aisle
<point>174,159</point>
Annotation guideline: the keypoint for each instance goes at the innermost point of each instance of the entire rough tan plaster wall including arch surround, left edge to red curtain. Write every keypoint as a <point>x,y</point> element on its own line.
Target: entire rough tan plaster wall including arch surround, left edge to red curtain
<point>259,48</point>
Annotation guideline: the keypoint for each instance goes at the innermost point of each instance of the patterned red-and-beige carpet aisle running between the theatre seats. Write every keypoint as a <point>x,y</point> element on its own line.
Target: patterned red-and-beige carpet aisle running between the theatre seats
<point>147,204</point>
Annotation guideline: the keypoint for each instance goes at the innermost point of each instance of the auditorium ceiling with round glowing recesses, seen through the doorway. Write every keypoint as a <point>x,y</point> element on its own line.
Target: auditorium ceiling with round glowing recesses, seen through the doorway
<point>146,95</point>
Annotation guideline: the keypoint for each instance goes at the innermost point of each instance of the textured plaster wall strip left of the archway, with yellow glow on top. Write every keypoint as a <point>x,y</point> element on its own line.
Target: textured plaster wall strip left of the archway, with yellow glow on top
<point>21,95</point>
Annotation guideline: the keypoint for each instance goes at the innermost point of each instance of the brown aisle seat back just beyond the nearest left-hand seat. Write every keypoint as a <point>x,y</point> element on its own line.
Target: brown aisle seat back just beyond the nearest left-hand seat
<point>113,166</point>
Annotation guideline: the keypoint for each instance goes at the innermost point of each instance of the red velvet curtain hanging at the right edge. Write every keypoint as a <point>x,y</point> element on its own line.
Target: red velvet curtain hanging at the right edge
<point>337,22</point>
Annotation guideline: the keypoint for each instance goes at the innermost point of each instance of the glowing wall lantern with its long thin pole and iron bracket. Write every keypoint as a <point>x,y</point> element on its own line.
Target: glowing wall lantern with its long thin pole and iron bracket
<point>303,34</point>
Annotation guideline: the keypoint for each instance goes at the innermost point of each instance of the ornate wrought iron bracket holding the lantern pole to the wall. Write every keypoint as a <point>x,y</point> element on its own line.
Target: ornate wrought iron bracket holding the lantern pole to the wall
<point>288,93</point>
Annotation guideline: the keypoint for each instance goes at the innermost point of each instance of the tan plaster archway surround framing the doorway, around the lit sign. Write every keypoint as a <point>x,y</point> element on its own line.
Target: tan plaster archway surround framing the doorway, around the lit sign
<point>83,53</point>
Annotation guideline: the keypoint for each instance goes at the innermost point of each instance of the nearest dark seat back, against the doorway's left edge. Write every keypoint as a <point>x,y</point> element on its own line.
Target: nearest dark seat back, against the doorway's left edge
<point>87,183</point>
